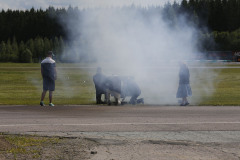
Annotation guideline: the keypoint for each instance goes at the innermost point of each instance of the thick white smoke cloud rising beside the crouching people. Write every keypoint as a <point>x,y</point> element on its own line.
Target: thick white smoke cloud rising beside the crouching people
<point>131,42</point>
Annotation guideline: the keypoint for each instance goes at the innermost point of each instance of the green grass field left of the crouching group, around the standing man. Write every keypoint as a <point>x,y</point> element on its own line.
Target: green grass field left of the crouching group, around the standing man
<point>21,84</point>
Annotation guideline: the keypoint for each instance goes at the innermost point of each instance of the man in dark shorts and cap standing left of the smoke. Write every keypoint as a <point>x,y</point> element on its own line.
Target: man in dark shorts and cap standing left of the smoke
<point>49,75</point>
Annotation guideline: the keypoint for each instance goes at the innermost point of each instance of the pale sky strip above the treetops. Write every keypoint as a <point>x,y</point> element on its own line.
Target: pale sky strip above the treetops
<point>43,4</point>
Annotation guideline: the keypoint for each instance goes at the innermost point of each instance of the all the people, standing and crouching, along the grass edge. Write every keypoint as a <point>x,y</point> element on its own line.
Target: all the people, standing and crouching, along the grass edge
<point>119,87</point>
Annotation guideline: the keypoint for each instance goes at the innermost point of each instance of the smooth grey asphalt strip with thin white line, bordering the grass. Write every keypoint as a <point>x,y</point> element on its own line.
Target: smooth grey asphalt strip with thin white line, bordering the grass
<point>119,118</point>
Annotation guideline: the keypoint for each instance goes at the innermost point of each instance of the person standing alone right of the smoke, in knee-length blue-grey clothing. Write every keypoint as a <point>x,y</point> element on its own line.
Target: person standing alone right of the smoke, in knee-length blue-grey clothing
<point>184,88</point>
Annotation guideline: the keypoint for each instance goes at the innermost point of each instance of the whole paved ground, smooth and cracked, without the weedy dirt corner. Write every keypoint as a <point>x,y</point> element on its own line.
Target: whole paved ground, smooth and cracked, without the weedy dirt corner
<point>136,132</point>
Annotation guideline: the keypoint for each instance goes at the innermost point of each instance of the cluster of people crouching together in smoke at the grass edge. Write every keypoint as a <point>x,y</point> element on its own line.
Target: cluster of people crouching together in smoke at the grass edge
<point>118,87</point>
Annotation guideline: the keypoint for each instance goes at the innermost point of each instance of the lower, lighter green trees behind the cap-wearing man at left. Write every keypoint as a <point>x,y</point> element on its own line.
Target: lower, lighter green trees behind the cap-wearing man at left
<point>33,50</point>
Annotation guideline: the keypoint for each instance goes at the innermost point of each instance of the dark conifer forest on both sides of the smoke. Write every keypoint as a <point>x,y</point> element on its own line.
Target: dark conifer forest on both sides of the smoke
<point>27,35</point>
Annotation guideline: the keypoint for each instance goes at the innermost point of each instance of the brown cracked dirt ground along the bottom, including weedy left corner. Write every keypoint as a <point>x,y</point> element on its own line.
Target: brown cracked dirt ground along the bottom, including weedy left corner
<point>77,148</point>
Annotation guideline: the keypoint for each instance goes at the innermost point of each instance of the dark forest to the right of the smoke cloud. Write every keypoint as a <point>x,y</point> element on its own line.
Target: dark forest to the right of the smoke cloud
<point>218,22</point>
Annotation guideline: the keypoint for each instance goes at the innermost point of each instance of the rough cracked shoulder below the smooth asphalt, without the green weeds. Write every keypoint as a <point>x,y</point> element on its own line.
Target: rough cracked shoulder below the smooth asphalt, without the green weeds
<point>131,146</point>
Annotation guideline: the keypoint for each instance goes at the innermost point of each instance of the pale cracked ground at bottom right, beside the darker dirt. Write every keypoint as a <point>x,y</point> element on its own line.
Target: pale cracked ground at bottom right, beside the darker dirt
<point>168,150</point>
